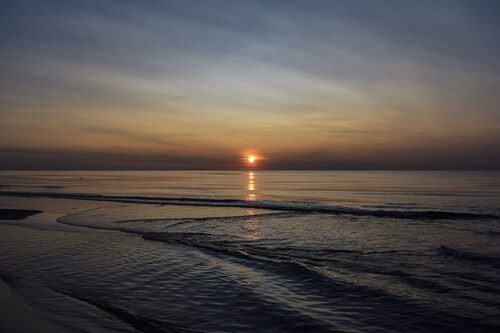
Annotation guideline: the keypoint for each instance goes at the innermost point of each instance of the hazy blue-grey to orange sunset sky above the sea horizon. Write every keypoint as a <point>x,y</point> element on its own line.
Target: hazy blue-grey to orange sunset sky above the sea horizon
<point>199,84</point>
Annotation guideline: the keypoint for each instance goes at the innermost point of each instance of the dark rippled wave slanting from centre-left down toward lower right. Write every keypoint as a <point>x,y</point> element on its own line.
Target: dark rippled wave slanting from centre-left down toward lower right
<point>305,263</point>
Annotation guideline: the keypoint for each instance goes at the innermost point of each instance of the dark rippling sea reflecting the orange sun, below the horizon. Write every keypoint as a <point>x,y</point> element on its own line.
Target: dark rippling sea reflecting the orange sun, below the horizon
<point>265,251</point>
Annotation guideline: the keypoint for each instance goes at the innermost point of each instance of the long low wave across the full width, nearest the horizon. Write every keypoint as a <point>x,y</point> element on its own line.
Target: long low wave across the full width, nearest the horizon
<point>288,206</point>
